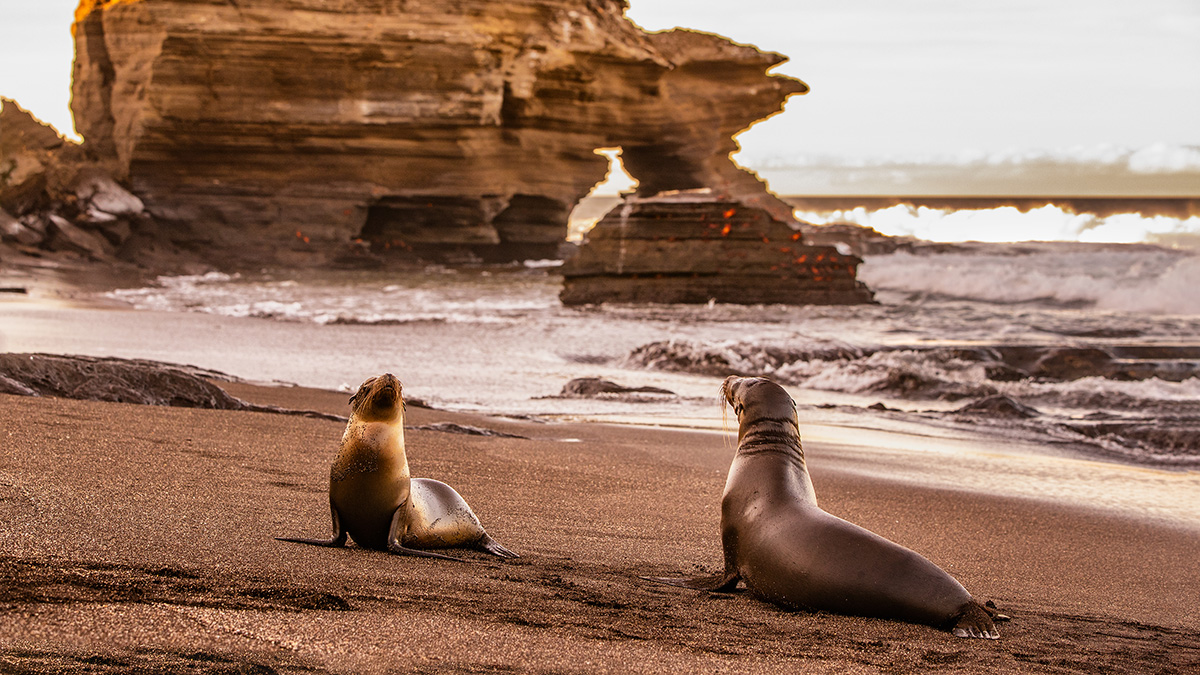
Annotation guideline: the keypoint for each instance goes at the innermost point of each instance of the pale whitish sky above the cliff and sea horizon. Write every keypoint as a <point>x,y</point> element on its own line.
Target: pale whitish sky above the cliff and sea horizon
<point>893,81</point>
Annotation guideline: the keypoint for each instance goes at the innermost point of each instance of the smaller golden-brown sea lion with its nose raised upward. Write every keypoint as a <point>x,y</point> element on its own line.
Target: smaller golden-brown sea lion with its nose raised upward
<point>374,500</point>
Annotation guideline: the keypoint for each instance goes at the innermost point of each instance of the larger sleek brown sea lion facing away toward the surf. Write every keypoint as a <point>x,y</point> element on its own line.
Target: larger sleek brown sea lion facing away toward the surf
<point>791,553</point>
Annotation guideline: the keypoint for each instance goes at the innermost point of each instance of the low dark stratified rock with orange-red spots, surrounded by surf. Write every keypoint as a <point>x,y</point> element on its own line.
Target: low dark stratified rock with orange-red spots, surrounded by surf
<point>692,248</point>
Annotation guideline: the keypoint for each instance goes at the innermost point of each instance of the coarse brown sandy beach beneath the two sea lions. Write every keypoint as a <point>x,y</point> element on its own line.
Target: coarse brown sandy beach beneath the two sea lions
<point>141,539</point>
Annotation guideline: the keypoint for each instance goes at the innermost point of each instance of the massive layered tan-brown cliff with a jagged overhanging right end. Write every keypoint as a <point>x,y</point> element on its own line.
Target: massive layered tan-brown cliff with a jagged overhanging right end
<point>281,128</point>
